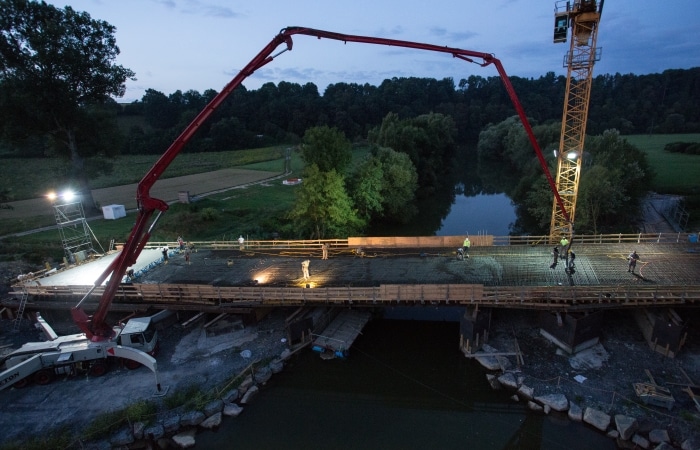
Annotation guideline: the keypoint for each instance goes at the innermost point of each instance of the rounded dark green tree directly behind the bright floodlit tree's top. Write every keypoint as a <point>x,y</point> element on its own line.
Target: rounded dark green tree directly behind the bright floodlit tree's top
<point>327,148</point>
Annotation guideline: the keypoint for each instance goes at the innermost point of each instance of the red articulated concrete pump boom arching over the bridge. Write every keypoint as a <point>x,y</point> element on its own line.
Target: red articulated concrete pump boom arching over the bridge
<point>94,326</point>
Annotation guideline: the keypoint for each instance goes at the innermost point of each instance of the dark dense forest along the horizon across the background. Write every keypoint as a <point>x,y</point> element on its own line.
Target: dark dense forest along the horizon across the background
<point>632,104</point>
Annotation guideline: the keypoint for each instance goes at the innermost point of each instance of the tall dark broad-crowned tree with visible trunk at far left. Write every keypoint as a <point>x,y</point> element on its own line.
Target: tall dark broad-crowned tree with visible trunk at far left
<point>54,65</point>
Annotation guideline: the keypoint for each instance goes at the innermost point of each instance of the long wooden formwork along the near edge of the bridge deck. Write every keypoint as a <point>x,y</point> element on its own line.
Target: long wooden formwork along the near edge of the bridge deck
<point>193,296</point>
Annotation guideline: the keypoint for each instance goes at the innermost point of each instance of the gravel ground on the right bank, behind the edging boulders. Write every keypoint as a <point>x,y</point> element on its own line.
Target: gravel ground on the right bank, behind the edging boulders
<point>610,368</point>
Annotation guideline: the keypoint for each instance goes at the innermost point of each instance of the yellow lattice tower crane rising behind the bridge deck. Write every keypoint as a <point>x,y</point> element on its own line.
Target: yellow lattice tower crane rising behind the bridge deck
<point>582,17</point>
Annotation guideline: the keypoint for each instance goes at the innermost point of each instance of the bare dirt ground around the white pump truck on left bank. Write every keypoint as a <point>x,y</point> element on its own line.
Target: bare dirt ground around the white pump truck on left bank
<point>188,356</point>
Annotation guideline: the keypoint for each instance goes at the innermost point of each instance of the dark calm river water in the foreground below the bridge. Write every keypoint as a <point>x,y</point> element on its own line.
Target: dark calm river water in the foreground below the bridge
<point>405,385</point>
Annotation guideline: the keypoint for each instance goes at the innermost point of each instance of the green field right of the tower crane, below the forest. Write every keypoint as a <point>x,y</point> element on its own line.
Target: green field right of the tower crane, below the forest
<point>675,173</point>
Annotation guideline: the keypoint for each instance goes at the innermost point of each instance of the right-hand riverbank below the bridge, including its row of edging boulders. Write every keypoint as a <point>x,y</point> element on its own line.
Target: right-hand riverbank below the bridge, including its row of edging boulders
<point>600,379</point>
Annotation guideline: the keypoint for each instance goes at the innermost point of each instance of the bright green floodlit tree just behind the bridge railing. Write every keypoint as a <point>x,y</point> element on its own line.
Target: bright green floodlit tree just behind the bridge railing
<point>322,207</point>
